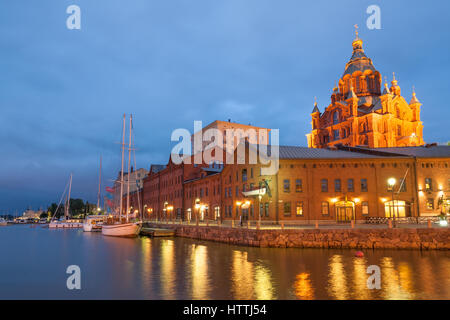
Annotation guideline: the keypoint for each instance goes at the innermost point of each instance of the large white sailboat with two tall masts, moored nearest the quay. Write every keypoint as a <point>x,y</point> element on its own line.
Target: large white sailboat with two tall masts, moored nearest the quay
<point>123,227</point>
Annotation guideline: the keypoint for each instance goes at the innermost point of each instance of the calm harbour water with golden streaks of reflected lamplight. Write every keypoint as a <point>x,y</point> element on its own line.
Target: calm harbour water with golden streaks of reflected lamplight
<point>34,260</point>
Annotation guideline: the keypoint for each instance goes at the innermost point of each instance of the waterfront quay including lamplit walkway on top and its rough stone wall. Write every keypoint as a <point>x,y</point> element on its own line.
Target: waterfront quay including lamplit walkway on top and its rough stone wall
<point>429,236</point>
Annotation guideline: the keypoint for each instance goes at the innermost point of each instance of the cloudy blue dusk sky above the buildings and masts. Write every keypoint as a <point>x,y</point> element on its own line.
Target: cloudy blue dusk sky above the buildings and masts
<point>63,92</point>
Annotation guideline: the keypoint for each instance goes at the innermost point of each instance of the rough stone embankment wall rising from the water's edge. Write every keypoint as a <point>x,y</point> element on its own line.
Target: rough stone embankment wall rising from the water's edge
<point>407,238</point>
